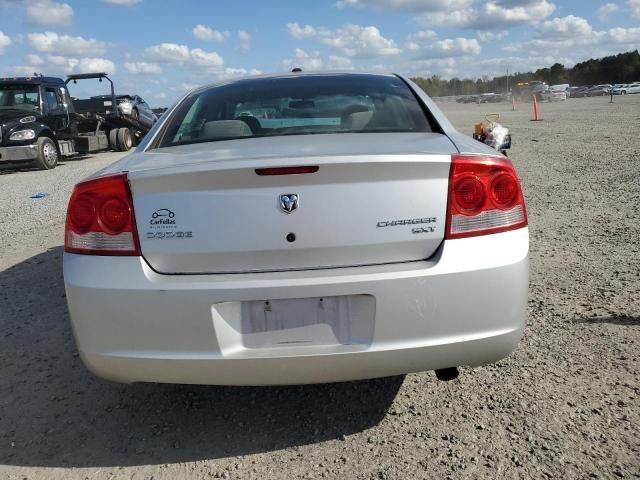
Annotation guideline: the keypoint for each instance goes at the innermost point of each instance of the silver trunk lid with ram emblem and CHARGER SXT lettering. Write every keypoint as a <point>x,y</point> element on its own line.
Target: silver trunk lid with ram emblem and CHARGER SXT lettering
<point>202,209</point>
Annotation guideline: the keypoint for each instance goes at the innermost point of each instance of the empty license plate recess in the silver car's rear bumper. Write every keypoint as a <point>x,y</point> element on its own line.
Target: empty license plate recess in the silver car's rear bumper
<point>284,323</point>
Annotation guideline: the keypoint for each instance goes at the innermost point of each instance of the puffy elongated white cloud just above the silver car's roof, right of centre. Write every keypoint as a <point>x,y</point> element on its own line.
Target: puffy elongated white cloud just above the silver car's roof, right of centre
<point>351,40</point>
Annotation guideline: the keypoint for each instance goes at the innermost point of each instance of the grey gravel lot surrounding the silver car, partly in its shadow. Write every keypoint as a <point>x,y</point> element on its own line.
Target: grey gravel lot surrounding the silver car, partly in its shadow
<point>564,405</point>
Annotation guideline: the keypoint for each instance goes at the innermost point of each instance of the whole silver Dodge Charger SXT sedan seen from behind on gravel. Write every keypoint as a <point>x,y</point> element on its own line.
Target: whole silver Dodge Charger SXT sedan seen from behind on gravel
<point>298,228</point>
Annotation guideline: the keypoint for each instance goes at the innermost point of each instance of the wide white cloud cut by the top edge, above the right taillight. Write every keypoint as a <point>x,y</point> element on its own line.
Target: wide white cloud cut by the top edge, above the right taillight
<point>491,14</point>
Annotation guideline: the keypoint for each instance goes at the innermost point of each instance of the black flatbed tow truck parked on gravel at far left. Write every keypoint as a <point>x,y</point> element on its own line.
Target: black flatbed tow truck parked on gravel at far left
<point>40,122</point>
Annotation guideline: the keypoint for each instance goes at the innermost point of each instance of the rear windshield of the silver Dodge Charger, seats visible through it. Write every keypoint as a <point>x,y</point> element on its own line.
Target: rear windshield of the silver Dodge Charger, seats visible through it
<point>296,105</point>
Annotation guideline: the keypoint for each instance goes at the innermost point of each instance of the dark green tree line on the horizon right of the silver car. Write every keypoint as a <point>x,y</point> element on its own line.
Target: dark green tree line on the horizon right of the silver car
<point>621,68</point>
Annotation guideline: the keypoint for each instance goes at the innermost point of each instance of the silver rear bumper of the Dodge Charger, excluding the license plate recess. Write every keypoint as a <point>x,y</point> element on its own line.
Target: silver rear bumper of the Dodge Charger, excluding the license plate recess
<point>466,306</point>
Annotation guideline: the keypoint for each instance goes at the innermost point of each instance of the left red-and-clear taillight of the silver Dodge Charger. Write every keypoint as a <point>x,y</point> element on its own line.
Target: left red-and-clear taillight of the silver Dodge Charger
<point>100,219</point>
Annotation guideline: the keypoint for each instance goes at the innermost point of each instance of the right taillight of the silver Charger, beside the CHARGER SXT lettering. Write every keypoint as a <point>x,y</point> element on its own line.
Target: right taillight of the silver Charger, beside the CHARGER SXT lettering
<point>484,197</point>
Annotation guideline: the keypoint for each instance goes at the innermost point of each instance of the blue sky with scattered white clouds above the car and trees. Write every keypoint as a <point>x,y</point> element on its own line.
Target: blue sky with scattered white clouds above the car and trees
<point>161,48</point>
